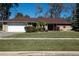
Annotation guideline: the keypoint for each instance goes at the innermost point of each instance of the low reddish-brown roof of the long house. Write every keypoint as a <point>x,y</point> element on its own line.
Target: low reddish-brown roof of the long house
<point>48,20</point>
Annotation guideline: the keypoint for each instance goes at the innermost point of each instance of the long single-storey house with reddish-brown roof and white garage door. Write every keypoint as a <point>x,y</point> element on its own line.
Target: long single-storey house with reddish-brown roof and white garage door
<point>18,24</point>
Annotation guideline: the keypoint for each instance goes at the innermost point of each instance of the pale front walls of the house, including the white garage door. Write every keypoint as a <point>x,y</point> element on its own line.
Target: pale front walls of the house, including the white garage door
<point>20,28</point>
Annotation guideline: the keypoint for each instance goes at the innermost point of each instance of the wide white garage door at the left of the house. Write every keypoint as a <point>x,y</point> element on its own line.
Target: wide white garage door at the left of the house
<point>16,28</point>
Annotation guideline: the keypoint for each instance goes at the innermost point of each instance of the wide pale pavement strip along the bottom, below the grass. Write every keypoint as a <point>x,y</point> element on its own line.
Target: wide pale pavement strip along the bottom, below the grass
<point>39,53</point>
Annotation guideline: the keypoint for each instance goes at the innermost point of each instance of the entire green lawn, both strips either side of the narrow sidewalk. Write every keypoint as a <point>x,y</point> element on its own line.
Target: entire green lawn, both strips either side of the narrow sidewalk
<point>41,45</point>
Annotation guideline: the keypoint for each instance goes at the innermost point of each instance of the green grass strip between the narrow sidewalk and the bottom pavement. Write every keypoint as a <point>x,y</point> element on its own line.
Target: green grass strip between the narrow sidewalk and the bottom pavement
<point>39,45</point>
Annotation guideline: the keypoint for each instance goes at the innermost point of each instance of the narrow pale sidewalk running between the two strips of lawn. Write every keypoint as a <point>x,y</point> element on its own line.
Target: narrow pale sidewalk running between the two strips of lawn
<point>40,38</point>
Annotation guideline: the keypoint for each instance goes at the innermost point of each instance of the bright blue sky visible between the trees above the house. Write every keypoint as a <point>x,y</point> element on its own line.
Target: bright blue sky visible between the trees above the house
<point>30,9</point>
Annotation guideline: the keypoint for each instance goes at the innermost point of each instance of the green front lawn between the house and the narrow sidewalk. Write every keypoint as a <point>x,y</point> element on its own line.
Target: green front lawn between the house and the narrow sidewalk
<point>47,35</point>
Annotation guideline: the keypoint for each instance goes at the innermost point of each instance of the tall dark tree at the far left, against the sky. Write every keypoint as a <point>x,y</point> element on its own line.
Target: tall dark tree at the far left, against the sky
<point>5,9</point>
